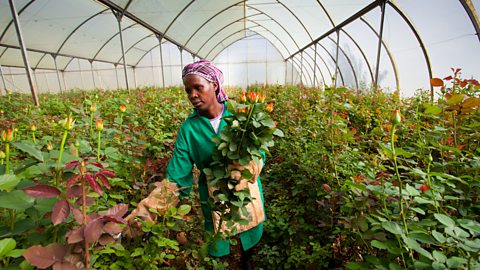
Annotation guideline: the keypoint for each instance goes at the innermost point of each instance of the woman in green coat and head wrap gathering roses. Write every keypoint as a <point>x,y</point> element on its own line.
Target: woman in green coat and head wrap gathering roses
<point>203,85</point>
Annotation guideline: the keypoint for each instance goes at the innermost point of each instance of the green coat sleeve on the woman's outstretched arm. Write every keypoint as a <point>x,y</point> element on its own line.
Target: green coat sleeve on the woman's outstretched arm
<point>179,169</point>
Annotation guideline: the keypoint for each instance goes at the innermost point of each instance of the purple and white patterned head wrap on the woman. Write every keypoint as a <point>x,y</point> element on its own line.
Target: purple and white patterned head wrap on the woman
<point>207,70</point>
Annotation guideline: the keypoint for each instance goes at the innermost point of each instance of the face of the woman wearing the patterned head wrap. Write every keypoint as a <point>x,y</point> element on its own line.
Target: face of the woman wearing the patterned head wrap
<point>200,92</point>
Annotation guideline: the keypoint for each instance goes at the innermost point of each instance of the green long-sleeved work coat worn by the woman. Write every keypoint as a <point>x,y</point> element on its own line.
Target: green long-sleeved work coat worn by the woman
<point>194,146</point>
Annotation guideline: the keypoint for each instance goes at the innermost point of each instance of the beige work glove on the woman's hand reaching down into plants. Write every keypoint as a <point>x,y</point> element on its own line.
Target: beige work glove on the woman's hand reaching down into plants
<point>161,198</point>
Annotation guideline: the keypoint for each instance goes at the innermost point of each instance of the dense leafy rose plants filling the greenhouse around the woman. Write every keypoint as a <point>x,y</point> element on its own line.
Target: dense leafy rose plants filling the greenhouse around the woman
<point>362,179</point>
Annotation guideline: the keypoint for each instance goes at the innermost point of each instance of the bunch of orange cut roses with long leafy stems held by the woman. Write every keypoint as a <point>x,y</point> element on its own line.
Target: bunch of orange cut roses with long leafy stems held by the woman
<point>238,158</point>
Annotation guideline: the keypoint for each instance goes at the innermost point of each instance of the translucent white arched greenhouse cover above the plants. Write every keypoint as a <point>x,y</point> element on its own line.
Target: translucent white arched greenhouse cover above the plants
<point>282,41</point>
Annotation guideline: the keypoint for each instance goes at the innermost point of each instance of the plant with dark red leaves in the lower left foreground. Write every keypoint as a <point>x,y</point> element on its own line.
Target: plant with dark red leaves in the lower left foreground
<point>94,227</point>
